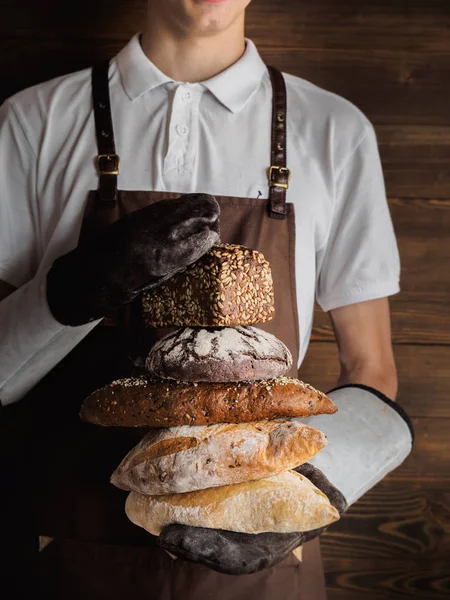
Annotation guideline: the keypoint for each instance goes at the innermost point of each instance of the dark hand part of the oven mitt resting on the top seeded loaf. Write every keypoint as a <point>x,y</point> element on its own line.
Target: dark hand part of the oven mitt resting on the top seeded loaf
<point>136,253</point>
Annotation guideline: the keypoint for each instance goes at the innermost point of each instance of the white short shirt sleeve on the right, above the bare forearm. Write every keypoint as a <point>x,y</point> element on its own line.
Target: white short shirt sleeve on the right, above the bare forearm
<point>360,259</point>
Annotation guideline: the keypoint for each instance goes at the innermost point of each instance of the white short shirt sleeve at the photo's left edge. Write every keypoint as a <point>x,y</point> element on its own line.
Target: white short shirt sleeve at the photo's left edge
<point>18,218</point>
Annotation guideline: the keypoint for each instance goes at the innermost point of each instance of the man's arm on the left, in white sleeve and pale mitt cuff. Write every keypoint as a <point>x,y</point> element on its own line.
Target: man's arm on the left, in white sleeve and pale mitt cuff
<point>31,341</point>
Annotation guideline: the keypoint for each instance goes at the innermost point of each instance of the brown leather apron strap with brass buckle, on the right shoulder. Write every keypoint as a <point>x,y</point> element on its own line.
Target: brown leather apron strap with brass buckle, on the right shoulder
<point>278,174</point>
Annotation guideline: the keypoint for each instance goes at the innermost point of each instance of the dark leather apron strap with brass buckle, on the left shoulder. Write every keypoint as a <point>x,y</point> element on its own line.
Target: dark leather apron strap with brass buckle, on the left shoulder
<point>108,163</point>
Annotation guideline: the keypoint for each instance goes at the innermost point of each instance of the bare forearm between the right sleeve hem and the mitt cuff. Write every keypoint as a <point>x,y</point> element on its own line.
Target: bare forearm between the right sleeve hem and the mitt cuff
<point>363,334</point>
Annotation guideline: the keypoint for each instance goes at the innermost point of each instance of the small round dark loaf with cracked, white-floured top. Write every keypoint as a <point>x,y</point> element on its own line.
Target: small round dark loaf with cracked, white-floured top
<point>239,353</point>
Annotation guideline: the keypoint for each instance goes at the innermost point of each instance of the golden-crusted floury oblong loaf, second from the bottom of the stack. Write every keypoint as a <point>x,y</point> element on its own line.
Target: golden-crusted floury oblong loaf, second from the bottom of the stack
<point>184,459</point>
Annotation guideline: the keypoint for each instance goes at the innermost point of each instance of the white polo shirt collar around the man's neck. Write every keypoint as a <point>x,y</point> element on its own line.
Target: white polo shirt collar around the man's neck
<point>232,87</point>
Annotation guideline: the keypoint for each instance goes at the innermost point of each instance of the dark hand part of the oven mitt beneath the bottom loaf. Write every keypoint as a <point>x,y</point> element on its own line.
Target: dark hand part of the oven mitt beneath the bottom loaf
<point>242,553</point>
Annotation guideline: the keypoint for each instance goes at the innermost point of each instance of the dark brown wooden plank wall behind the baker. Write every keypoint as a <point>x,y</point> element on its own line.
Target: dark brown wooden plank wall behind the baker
<point>392,59</point>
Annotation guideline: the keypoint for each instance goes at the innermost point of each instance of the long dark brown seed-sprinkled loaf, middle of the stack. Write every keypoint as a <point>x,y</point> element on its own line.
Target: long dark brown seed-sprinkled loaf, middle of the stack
<point>145,402</point>
